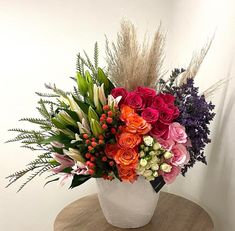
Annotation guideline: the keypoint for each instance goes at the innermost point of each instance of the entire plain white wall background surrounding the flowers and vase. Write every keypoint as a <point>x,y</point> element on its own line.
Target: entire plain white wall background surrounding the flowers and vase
<point>39,41</point>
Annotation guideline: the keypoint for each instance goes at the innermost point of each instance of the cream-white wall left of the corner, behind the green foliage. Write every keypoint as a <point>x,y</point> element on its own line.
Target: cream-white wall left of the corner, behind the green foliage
<point>38,44</point>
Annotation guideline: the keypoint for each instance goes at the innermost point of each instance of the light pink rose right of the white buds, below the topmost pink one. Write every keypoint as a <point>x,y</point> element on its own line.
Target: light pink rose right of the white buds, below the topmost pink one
<point>180,155</point>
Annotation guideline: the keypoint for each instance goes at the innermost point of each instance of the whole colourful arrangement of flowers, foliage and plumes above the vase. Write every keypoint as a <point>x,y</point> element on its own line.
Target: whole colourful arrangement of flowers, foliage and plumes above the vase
<point>122,122</point>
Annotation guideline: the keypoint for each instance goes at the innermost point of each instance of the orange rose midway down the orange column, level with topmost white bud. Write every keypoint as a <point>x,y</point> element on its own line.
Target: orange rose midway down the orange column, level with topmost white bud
<point>128,140</point>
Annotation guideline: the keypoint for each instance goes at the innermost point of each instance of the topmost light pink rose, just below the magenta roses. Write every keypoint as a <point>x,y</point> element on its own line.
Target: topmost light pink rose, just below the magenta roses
<point>177,133</point>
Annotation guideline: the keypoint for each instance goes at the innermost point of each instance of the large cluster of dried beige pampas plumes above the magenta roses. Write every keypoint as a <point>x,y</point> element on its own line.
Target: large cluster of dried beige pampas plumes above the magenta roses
<point>131,64</point>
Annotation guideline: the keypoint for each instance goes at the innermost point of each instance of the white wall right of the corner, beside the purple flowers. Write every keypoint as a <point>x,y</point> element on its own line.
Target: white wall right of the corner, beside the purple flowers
<point>213,187</point>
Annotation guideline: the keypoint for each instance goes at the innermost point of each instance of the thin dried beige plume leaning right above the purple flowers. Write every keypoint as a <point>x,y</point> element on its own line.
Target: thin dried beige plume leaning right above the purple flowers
<point>195,63</point>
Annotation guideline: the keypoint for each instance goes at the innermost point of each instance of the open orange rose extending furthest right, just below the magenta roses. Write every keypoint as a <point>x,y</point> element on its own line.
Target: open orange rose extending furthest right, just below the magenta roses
<point>136,124</point>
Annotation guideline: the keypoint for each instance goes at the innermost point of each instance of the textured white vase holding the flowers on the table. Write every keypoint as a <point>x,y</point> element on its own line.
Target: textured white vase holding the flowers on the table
<point>127,205</point>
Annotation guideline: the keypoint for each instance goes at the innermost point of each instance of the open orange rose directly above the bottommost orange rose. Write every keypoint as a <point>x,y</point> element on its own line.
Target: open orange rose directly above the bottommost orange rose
<point>126,157</point>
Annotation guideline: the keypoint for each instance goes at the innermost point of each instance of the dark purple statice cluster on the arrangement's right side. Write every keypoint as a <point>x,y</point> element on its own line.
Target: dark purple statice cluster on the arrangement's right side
<point>195,115</point>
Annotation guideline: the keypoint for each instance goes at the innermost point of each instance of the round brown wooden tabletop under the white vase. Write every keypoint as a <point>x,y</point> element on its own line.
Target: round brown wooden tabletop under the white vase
<point>173,213</point>
